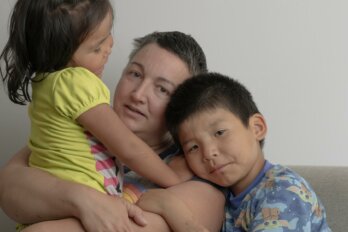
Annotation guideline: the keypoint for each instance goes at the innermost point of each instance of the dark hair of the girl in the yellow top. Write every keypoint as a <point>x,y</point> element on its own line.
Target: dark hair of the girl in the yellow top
<point>43,36</point>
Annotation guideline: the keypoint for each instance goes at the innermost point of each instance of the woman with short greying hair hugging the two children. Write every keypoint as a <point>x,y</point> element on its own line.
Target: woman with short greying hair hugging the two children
<point>157,65</point>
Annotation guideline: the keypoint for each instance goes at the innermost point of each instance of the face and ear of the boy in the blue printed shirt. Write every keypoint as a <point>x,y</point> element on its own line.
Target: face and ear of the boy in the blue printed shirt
<point>219,148</point>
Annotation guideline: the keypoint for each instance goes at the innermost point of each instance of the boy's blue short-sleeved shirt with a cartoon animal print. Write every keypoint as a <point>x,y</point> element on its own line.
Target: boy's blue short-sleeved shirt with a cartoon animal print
<point>282,199</point>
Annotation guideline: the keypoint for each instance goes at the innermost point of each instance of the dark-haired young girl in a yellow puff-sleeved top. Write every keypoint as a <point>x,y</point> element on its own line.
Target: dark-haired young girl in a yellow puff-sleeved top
<point>60,47</point>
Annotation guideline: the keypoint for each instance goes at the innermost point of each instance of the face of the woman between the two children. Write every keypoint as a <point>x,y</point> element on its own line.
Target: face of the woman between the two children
<point>144,90</point>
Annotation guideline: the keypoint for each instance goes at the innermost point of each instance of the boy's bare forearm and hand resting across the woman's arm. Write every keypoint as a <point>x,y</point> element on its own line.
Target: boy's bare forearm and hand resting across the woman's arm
<point>174,211</point>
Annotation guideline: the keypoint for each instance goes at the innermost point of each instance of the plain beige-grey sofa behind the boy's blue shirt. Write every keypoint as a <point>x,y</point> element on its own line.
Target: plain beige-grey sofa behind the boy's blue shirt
<point>330,183</point>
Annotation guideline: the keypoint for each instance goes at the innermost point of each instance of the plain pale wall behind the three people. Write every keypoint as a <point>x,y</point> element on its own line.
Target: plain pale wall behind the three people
<point>291,54</point>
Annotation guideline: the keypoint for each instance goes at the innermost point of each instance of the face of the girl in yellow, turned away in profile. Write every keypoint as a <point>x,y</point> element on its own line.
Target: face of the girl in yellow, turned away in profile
<point>94,51</point>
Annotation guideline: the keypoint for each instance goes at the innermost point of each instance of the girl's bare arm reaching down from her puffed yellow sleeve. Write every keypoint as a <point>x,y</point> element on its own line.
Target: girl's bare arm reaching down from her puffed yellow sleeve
<point>105,124</point>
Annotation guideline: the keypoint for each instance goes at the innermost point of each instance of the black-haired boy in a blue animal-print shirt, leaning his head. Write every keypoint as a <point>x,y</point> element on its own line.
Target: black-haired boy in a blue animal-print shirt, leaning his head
<point>221,133</point>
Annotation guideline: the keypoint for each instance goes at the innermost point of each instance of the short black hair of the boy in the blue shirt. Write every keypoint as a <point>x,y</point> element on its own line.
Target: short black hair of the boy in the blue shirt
<point>208,91</point>
